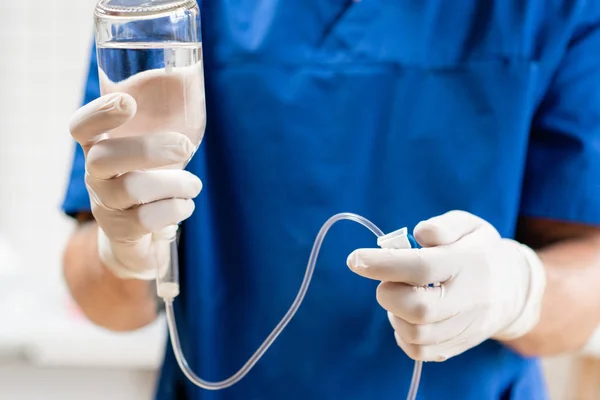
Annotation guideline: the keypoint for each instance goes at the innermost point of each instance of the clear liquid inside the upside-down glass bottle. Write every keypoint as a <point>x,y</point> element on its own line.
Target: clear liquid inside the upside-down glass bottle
<point>167,82</point>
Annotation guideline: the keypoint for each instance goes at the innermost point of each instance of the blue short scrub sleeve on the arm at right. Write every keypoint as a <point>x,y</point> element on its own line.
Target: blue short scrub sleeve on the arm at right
<point>562,179</point>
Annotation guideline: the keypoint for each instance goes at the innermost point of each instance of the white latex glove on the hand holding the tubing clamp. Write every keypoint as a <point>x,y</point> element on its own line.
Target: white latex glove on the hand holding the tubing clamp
<point>490,287</point>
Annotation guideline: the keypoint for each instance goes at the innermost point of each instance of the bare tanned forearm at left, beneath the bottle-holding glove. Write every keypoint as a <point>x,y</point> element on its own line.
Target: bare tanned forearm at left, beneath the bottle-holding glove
<point>115,304</point>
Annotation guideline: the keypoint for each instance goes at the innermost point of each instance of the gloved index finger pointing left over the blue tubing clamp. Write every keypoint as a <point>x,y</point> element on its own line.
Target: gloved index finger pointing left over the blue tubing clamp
<point>418,267</point>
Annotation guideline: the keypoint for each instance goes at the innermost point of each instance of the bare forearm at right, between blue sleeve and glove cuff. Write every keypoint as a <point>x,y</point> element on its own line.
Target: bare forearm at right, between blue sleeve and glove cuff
<point>570,310</point>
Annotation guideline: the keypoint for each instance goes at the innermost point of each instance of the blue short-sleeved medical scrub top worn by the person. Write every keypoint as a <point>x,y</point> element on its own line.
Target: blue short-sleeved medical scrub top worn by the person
<point>395,110</point>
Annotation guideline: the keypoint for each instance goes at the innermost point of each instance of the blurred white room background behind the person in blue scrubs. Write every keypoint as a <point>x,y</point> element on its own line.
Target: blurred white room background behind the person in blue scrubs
<point>47,350</point>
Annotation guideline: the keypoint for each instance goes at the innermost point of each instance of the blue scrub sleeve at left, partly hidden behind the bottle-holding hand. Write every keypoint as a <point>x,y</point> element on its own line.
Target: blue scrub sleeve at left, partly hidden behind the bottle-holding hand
<point>77,199</point>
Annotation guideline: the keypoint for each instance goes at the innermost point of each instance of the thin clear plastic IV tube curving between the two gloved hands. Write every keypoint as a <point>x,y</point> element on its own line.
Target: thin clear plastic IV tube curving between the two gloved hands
<point>310,268</point>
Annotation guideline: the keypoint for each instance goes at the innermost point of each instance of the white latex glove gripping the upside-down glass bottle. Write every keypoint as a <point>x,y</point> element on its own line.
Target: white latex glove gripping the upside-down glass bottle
<point>136,203</point>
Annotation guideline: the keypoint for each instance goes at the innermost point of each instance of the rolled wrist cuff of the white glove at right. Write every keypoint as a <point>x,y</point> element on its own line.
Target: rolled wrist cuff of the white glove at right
<point>530,314</point>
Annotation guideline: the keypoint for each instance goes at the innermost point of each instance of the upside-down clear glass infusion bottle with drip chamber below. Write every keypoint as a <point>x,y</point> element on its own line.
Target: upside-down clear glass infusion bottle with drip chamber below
<point>152,50</point>
